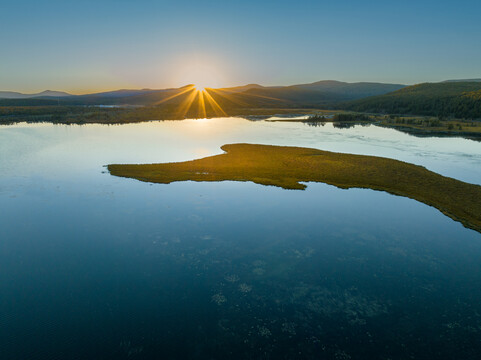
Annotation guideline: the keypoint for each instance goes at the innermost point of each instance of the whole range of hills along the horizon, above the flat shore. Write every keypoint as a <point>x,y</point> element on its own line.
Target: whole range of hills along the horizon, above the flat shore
<point>455,98</point>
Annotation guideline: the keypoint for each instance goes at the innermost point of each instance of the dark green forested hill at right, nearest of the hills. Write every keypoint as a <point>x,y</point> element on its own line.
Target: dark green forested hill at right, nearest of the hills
<point>459,99</point>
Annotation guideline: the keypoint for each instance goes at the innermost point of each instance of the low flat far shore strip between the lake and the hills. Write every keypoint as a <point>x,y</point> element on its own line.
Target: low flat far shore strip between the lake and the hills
<point>414,125</point>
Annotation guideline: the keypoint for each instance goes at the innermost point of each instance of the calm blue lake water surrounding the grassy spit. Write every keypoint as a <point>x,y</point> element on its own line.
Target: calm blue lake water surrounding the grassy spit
<point>98,267</point>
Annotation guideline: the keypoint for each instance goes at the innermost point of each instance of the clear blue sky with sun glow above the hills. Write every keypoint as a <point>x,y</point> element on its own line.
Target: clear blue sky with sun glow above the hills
<point>88,46</point>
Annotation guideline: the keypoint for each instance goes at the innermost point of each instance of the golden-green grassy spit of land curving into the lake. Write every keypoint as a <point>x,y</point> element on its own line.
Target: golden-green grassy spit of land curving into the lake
<point>287,167</point>
